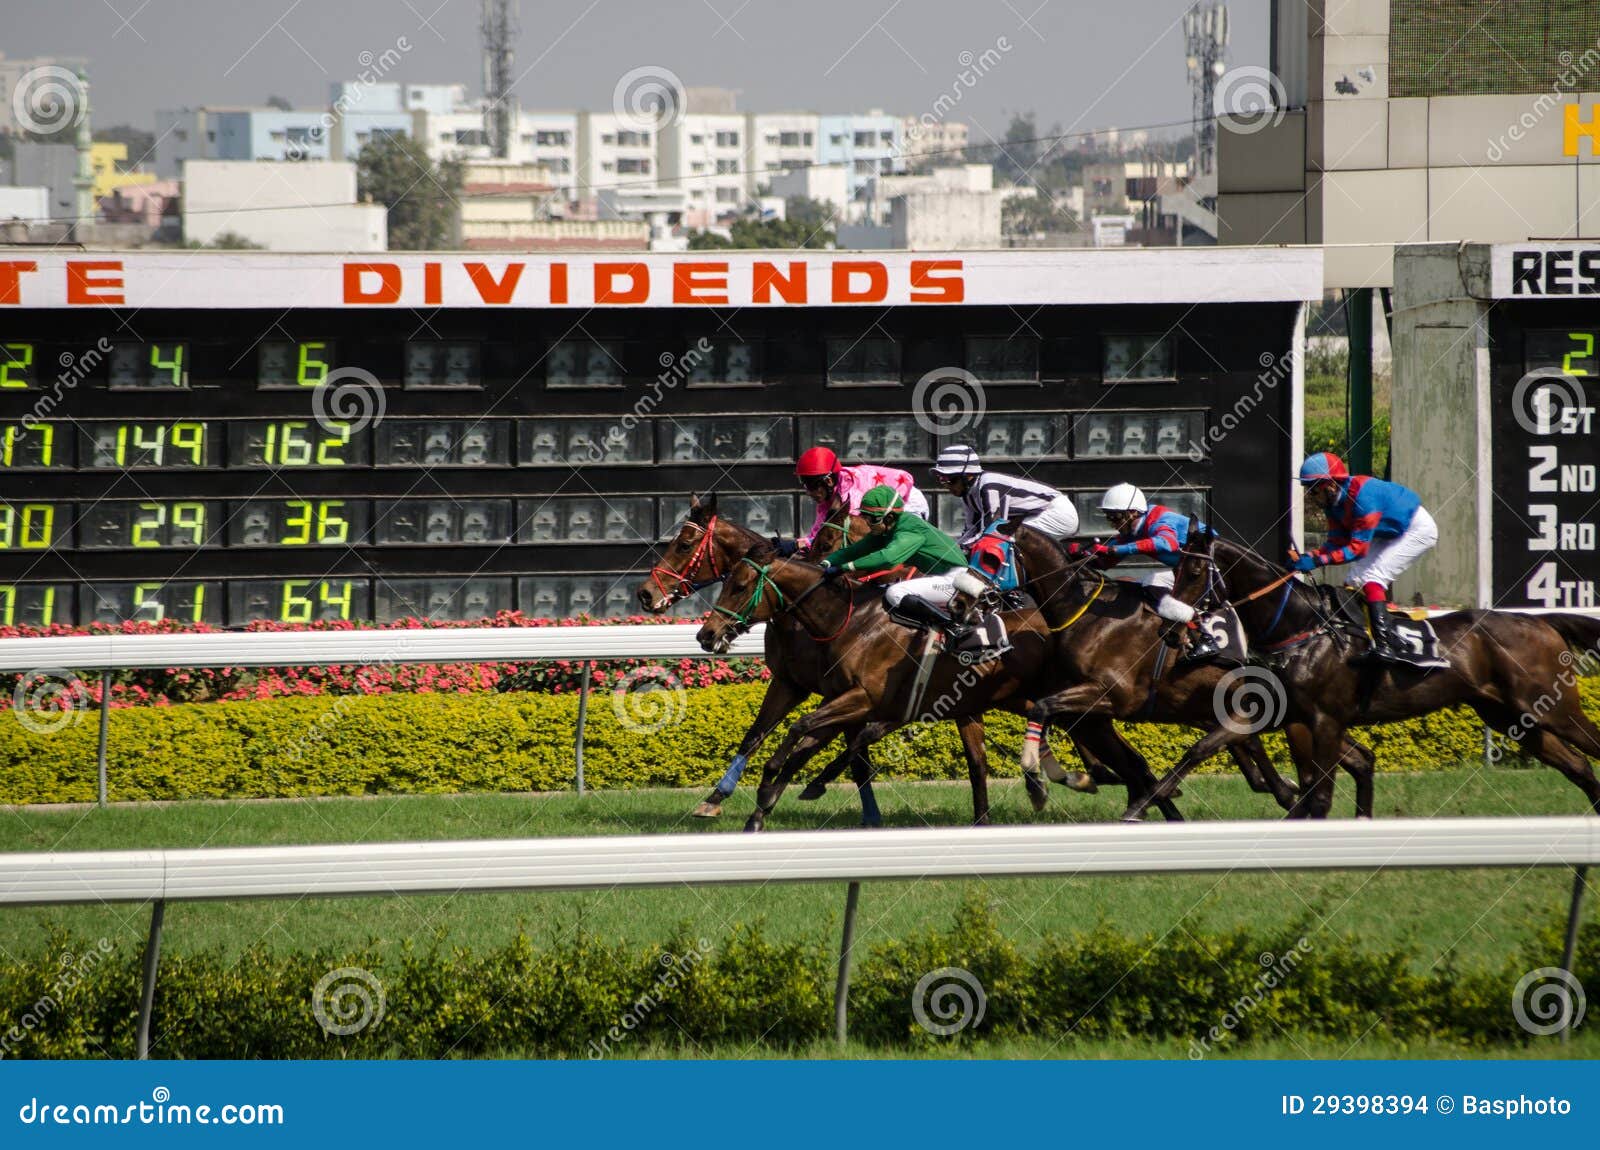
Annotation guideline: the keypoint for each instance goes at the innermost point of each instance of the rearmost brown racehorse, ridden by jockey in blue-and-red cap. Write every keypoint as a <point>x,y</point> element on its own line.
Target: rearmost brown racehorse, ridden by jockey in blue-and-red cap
<point>1516,671</point>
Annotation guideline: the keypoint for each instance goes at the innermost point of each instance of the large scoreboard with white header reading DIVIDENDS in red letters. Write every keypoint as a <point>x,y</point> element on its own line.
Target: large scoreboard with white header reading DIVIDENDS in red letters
<point>230,437</point>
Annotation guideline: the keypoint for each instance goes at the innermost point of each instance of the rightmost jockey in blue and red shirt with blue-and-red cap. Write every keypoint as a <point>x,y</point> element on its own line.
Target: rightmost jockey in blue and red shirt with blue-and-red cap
<point>1380,529</point>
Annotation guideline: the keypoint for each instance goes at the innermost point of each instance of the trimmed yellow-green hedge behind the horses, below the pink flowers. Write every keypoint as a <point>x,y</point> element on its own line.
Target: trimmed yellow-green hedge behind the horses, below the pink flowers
<point>513,743</point>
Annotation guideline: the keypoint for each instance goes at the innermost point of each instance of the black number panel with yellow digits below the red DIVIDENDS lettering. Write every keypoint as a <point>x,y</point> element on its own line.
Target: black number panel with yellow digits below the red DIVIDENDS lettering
<point>182,465</point>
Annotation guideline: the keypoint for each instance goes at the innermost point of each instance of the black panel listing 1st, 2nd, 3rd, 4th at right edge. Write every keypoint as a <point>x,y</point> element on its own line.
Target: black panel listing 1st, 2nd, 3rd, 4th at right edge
<point>1545,393</point>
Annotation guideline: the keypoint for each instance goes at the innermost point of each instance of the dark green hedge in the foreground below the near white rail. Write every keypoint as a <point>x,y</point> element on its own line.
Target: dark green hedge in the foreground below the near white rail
<point>588,999</point>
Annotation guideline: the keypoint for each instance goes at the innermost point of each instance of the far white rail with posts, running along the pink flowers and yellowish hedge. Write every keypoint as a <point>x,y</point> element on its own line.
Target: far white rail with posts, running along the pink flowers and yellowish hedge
<point>362,649</point>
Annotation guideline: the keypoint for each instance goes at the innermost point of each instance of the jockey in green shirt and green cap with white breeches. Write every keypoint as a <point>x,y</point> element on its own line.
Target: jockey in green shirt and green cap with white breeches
<point>905,540</point>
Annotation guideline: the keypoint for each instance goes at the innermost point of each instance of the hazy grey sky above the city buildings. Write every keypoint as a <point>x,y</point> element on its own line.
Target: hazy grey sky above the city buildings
<point>1074,63</point>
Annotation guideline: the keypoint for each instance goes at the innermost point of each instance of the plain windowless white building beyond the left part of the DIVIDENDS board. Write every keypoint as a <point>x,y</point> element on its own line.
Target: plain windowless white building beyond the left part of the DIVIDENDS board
<point>284,207</point>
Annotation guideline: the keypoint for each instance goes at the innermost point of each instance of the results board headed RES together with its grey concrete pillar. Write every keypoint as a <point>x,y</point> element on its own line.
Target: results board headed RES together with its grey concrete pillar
<point>1497,386</point>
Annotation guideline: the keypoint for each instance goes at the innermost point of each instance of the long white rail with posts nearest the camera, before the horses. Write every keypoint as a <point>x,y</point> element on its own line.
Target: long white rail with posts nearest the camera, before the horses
<point>815,857</point>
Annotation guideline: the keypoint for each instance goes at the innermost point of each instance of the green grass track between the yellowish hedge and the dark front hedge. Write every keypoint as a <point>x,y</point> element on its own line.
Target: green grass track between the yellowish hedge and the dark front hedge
<point>1484,916</point>
